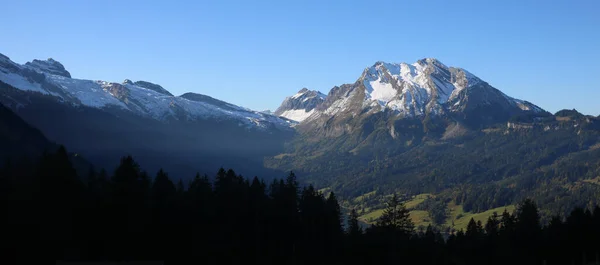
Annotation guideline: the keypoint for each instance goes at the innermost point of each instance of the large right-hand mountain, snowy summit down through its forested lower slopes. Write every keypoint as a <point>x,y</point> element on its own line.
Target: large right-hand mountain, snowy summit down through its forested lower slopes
<point>429,129</point>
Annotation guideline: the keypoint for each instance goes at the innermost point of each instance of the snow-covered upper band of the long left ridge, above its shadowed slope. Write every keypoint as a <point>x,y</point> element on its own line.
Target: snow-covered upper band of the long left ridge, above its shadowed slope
<point>143,98</point>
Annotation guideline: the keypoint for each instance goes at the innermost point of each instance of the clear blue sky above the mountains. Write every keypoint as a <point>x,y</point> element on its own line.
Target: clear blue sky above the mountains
<point>255,53</point>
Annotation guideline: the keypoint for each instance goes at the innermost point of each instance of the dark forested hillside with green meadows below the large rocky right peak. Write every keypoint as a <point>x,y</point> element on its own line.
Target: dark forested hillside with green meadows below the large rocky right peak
<point>555,160</point>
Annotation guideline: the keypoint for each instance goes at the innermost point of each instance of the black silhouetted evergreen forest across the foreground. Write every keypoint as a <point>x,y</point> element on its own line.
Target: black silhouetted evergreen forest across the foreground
<point>53,213</point>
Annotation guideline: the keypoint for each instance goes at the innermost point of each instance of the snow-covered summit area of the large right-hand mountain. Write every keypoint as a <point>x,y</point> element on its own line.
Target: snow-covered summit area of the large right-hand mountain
<point>416,89</point>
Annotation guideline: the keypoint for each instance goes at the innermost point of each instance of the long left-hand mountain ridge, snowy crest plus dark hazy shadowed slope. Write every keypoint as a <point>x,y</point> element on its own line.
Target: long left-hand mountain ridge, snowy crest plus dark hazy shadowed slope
<point>105,120</point>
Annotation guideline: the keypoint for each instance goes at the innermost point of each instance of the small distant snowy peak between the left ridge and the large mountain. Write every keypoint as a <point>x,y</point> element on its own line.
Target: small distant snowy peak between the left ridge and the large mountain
<point>301,105</point>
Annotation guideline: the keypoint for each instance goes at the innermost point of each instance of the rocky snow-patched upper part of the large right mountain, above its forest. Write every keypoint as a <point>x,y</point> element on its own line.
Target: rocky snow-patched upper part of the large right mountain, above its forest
<point>426,88</point>
